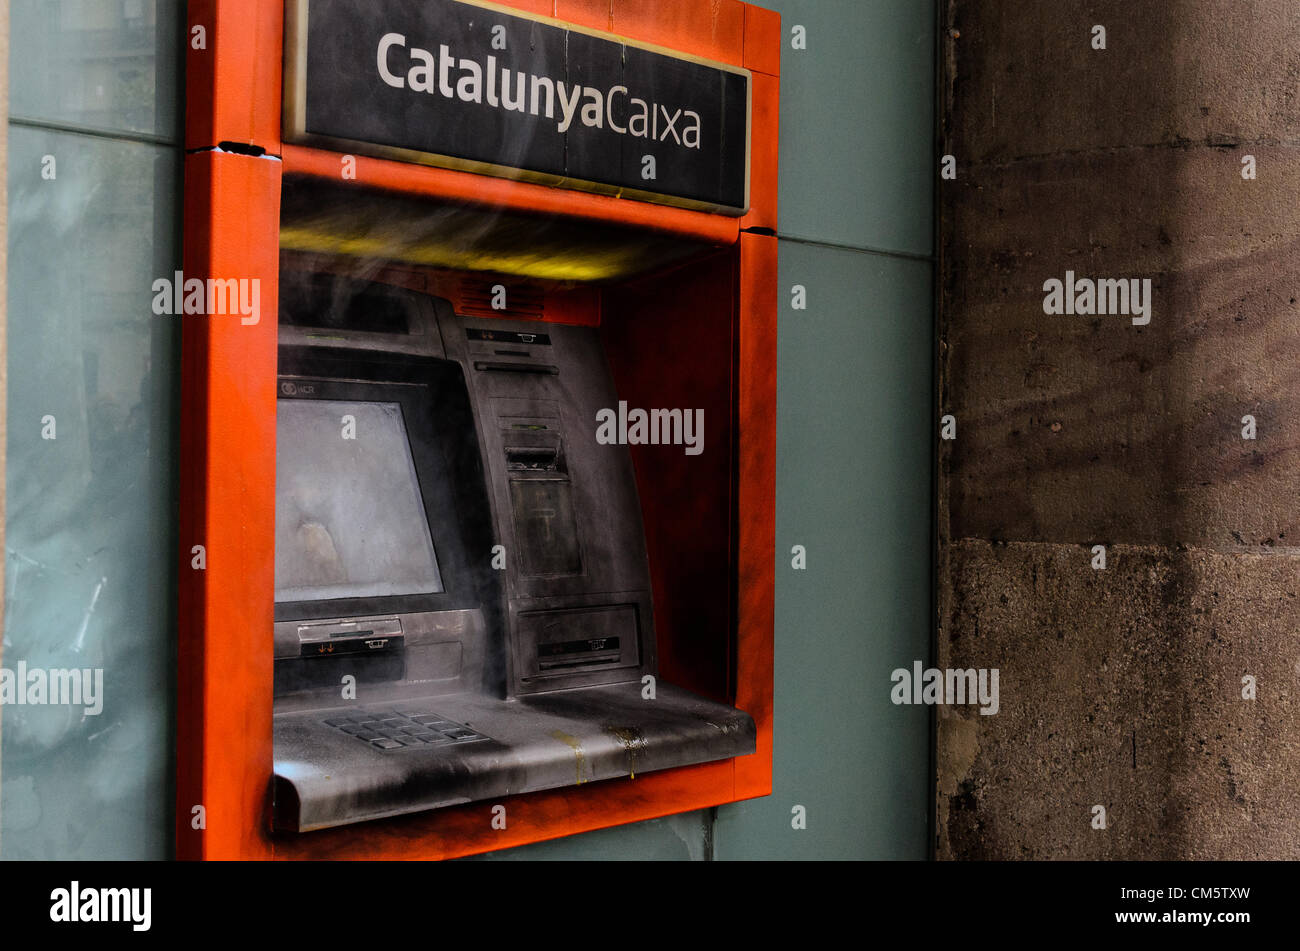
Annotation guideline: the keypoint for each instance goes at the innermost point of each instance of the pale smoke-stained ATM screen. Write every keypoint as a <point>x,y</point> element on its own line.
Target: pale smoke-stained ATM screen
<point>350,518</point>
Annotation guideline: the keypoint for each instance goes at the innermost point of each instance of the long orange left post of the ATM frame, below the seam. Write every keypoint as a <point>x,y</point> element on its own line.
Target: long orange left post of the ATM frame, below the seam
<point>228,507</point>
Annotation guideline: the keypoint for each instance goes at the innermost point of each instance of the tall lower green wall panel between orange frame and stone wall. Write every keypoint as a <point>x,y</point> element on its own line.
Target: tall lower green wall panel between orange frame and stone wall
<point>853,489</point>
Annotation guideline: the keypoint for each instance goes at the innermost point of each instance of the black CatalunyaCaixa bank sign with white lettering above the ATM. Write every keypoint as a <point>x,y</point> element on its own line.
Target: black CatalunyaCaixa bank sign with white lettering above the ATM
<point>483,89</point>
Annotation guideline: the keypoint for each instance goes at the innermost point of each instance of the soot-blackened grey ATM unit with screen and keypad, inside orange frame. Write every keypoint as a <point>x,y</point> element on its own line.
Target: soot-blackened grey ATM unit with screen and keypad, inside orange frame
<point>463,597</point>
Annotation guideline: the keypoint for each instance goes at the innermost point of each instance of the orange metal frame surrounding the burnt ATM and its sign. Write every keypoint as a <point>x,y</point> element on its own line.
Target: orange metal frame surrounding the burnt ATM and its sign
<point>233,171</point>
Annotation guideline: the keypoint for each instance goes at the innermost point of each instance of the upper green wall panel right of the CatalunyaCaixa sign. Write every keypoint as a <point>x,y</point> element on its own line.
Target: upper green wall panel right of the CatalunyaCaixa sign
<point>857,123</point>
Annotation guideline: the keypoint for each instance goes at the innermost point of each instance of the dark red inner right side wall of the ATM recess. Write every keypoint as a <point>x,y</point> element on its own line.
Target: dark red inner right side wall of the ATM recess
<point>670,340</point>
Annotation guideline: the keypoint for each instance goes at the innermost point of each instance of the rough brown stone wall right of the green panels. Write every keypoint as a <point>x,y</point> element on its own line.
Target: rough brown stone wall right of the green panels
<point>1121,688</point>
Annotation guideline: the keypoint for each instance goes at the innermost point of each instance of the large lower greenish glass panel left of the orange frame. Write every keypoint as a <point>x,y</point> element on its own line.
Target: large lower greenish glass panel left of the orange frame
<point>92,498</point>
